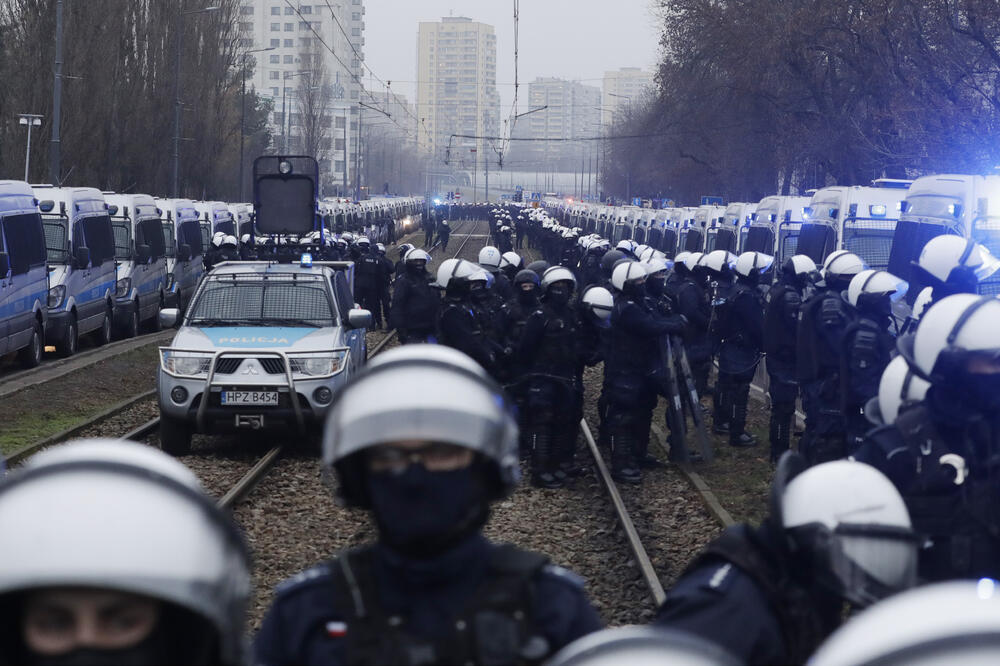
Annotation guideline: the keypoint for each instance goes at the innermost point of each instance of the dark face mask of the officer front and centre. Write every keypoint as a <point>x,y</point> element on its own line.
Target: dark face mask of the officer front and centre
<point>421,513</point>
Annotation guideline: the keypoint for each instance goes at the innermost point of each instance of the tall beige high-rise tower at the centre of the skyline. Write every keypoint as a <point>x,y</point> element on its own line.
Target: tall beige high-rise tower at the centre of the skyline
<point>456,89</point>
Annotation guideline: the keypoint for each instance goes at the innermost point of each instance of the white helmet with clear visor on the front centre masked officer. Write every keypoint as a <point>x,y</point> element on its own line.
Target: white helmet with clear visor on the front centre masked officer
<point>380,405</point>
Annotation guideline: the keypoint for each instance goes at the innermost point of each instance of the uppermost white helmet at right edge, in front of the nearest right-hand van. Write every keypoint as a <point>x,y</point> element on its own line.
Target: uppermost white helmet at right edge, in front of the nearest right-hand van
<point>956,261</point>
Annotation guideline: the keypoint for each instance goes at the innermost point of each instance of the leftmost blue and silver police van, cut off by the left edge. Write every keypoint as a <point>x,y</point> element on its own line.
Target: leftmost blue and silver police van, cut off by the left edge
<point>23,274</point>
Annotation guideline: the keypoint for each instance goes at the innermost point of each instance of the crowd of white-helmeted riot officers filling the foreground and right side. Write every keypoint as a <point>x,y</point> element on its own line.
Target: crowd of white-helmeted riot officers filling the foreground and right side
<point>428,436</point>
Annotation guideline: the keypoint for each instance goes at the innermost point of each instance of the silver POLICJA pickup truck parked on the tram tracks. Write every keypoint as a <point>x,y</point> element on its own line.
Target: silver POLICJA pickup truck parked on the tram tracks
<point>263,345</point>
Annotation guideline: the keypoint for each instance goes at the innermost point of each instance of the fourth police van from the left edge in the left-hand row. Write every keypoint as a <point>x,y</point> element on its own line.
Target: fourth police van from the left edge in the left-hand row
<point>184,262</point>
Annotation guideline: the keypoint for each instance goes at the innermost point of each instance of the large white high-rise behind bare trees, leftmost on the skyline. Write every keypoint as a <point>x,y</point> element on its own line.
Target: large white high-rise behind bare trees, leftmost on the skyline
<point>314,92</point>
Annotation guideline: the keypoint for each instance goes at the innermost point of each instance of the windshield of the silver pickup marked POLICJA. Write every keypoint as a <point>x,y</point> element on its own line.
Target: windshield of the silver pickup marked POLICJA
<point>255,301</point>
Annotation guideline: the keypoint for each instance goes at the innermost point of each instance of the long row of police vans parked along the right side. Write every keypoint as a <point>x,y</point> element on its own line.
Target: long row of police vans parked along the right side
<point>886,224</point>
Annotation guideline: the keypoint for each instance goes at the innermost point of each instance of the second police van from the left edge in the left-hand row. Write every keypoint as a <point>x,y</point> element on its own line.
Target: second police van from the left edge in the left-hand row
<point>81,257</point>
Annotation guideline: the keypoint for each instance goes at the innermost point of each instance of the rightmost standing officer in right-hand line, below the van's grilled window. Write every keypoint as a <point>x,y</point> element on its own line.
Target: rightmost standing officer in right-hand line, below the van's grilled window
<point>868,346</point>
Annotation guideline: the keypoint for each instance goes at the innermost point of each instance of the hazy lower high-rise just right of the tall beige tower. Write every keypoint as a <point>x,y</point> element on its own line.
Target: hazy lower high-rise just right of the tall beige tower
<point>567,110</point>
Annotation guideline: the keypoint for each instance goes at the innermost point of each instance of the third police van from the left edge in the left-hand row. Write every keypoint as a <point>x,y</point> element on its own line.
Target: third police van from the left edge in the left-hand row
<point>140,261</point>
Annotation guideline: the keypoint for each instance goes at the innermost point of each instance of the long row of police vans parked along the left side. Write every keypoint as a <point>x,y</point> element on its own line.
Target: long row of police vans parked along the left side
<point>76,261</point>
